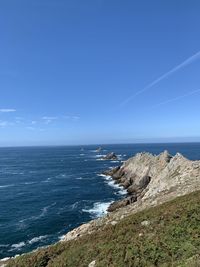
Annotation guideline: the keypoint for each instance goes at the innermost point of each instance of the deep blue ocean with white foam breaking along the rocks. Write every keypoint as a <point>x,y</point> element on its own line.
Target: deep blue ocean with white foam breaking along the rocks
<point>47,191</point>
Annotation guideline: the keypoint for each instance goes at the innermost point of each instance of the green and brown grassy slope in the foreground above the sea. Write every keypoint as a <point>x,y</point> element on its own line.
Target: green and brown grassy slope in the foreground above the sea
<point>171,239</point>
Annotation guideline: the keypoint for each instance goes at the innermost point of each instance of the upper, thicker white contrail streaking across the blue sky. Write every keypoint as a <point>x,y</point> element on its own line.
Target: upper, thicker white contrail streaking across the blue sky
<point>167,74</point>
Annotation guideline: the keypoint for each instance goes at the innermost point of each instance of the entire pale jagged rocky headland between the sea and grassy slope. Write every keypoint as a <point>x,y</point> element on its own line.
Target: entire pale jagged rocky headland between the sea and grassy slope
<point>156,179</point>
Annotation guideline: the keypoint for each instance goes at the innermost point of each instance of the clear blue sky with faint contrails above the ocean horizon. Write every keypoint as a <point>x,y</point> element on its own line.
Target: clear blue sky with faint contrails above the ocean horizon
<point>99,71</point>
